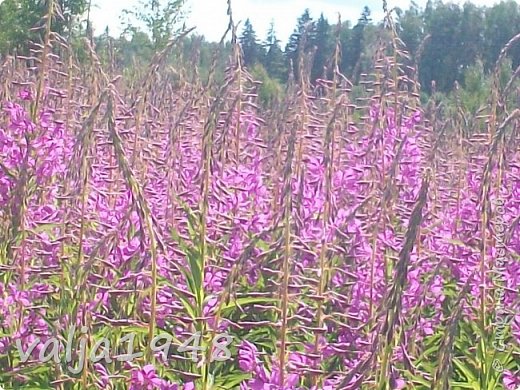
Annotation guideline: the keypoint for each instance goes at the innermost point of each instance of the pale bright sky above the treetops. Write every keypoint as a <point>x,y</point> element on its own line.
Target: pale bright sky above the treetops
<point>211,20</point>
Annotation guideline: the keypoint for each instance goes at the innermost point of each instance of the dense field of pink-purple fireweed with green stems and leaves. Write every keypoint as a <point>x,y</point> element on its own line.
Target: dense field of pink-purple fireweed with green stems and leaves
<point>162,231</point>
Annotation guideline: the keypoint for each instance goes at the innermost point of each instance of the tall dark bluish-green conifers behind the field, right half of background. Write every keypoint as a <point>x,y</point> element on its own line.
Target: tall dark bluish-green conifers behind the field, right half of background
<point>446,39</point>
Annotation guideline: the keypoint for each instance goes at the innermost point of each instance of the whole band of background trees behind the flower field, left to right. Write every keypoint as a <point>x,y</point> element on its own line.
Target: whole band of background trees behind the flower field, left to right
<point>450,45</point>
